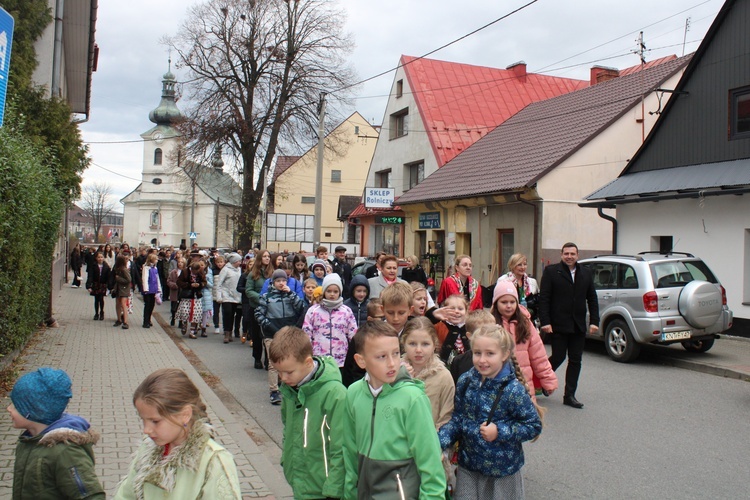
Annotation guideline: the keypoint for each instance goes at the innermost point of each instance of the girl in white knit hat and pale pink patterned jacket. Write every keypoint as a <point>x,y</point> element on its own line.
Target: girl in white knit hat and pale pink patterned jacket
<point>330,324</point>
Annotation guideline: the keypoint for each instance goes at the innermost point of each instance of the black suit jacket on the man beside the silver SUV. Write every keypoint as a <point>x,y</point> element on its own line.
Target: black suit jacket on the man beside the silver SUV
<point>562,303</point>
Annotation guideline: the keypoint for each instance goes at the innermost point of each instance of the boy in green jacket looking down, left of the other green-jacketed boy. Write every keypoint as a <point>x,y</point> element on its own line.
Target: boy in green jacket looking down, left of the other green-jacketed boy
<point>312,411</point>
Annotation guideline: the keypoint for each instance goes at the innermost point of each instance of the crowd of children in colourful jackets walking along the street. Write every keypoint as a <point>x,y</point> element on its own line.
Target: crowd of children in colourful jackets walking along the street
<point>377,394</point>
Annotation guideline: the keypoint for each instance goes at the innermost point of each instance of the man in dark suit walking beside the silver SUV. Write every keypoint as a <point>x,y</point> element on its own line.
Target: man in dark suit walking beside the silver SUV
<point>567,288</point>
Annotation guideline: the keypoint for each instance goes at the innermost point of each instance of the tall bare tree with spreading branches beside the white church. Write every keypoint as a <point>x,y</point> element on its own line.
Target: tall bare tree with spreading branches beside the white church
<point>257,70</point>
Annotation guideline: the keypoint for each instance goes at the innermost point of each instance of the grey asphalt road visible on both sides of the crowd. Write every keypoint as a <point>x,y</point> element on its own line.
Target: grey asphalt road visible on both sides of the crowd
<point>647,430</point>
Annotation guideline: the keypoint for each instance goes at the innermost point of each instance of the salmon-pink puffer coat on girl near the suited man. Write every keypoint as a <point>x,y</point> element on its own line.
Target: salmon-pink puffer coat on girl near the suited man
<point>532,357</point>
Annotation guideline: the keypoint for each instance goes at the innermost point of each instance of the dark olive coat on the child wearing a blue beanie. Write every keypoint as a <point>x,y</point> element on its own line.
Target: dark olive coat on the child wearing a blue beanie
<point>58,463</point>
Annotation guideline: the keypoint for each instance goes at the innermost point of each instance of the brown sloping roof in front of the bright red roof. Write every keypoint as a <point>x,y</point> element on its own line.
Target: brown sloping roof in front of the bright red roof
<point>534,141</point>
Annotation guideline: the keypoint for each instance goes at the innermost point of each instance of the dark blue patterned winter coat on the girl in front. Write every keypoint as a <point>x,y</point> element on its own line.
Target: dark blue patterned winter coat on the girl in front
<point>515,417</point>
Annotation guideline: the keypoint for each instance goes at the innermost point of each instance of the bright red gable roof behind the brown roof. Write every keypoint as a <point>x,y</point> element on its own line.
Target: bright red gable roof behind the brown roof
<point>460,103</point>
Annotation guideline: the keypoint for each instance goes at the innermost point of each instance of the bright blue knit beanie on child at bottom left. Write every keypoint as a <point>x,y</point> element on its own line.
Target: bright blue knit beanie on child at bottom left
<point>42,395</point>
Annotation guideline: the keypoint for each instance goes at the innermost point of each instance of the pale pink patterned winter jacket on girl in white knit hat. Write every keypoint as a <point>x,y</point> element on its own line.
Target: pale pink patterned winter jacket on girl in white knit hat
<point>330,331</point>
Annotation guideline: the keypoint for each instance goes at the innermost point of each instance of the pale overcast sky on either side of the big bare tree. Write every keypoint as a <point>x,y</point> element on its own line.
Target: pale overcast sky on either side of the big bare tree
<point>556,37</point>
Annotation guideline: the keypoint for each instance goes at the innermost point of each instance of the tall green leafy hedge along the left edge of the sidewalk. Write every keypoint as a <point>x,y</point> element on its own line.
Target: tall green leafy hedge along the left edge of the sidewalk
<point>30,214</point>
